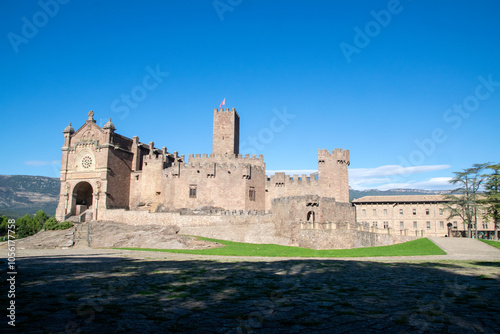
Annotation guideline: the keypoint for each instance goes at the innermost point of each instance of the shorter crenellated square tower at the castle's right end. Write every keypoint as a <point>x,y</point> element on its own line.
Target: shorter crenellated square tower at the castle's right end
<point>333,174</point>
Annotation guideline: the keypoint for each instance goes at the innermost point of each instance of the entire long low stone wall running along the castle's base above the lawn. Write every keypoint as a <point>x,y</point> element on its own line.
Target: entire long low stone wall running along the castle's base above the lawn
<point>256,227</point>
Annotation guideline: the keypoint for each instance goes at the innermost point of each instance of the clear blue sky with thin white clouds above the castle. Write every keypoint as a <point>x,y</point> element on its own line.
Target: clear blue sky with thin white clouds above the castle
<point>411,88</point>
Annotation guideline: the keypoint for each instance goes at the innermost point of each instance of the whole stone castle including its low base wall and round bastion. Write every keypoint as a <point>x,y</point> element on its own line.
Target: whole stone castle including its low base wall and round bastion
<point>109,177</point>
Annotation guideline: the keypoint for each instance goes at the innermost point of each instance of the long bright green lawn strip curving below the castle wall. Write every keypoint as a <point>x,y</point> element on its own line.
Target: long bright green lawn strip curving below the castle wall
<point>411,248</point>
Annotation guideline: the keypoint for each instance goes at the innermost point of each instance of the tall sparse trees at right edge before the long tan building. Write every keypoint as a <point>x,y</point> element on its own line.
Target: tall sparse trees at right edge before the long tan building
<point>477,195</point>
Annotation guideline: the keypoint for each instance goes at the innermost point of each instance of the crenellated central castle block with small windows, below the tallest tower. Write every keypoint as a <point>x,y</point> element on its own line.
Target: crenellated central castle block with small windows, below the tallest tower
<point>220,183</point>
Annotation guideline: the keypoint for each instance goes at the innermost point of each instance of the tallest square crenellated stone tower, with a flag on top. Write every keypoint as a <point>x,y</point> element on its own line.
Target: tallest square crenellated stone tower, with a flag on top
<point>226,135</point>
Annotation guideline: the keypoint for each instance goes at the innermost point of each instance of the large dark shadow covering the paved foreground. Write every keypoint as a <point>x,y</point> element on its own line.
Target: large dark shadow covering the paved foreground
<point>76,294</point>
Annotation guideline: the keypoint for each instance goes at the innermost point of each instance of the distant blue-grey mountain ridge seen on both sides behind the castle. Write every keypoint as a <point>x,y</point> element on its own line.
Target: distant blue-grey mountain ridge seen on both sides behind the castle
<point>22,194</point>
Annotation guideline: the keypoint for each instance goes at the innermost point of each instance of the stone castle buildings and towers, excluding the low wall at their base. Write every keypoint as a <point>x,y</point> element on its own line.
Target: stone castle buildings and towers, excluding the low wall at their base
<point>103,170</point>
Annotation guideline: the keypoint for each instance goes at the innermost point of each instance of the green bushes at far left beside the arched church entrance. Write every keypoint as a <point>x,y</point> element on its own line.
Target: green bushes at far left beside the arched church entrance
<point>29,225</point>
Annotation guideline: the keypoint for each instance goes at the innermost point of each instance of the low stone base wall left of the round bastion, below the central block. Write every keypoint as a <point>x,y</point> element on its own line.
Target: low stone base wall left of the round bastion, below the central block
<point>236,226</point>
